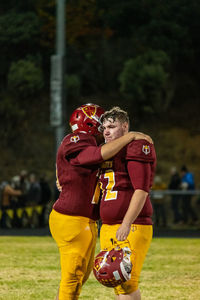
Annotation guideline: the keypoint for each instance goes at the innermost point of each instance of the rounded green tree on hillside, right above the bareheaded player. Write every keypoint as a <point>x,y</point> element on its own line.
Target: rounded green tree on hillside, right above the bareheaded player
<point>145,81</point>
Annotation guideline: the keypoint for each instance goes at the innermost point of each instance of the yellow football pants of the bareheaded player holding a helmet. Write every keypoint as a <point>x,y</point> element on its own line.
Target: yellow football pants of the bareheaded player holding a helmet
<point>138,241</point>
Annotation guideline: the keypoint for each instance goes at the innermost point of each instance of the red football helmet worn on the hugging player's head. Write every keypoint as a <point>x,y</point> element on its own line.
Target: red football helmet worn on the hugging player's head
<point>86,118</point>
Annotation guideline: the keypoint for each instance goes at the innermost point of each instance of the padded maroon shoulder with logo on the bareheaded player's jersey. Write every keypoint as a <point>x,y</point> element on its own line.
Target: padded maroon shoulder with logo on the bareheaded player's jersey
<point>141,150</point>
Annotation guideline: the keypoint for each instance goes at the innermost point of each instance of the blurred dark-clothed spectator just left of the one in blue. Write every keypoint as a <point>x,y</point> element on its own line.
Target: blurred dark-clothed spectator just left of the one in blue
<point>175,184</point>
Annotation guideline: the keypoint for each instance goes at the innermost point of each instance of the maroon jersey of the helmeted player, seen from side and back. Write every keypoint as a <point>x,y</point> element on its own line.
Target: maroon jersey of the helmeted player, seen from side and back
<point>77,162</point>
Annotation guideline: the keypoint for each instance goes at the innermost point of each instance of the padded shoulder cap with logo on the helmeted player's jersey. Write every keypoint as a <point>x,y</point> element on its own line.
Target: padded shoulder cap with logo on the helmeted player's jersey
<point>76,142</point>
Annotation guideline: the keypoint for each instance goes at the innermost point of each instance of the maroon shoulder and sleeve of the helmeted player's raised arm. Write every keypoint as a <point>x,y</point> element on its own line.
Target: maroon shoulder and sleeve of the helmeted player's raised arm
<point>81,149</point>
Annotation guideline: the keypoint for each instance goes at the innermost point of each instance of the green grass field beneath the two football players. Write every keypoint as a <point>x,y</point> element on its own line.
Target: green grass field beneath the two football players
<point>29,269</point>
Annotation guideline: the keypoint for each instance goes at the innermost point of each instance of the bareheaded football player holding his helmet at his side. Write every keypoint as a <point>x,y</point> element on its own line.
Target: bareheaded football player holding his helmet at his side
<point>125,207</point>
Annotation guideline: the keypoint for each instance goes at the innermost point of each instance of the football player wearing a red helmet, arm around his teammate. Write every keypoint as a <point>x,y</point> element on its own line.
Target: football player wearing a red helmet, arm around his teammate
<point>72,219</point>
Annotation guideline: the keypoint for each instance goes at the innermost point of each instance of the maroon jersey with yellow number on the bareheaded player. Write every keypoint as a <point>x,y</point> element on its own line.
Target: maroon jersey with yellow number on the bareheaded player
<point>132,168</point>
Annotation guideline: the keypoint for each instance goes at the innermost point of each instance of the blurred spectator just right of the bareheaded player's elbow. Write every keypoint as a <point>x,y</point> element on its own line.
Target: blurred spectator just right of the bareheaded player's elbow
<point>158,200</point>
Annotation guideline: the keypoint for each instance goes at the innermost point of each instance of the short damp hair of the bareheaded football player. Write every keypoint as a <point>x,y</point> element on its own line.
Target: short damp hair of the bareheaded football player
<point>116,113</point>
